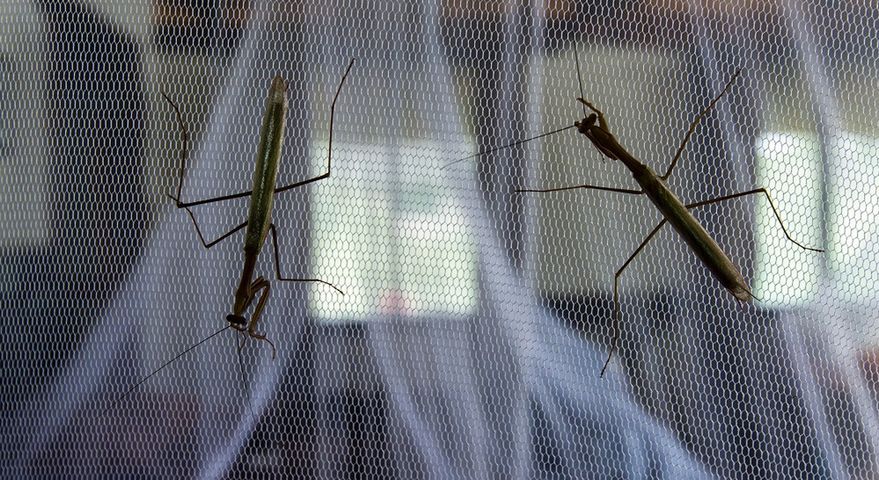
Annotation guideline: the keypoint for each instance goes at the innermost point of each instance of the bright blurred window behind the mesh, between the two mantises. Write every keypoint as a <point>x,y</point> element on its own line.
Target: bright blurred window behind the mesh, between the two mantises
<point>403,250</point>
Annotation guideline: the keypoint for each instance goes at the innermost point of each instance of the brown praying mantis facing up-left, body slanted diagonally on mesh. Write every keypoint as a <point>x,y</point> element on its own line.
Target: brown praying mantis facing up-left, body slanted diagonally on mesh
<point>676,213</point>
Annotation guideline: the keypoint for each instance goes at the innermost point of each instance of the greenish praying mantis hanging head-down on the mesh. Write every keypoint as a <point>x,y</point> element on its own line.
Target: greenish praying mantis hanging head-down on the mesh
<point>258,223</point>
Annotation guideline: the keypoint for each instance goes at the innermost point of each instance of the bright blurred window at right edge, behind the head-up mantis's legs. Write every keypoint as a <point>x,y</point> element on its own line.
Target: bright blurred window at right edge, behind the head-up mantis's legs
<point>791,163</point>
